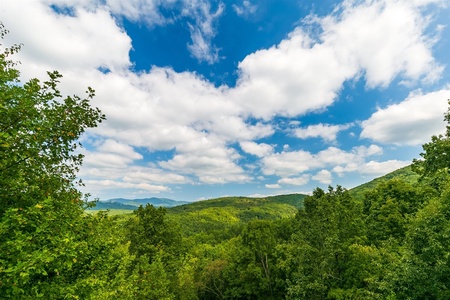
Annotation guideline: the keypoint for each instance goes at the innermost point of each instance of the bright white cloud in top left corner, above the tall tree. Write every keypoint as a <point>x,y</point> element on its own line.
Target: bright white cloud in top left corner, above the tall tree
<point>65,42</point>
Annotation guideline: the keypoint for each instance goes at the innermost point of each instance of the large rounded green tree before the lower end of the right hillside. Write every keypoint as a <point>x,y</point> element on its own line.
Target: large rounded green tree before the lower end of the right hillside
<point>327,226</point>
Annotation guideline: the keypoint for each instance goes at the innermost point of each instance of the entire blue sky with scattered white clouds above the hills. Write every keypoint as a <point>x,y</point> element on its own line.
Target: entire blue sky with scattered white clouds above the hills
<point>206,98</point>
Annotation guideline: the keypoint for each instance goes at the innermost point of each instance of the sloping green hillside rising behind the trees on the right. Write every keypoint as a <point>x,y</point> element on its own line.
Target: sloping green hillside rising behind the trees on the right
<point>404,173</point>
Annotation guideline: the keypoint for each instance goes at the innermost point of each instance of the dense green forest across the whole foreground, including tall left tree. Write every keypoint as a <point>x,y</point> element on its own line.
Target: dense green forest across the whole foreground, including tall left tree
<point>387,240</point>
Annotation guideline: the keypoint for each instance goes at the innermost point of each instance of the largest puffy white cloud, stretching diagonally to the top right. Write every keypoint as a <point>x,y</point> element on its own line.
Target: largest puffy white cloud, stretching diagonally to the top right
<point>380,40</point>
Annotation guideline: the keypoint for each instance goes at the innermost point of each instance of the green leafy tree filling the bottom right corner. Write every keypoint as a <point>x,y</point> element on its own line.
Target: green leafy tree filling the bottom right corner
<point>424,272</point>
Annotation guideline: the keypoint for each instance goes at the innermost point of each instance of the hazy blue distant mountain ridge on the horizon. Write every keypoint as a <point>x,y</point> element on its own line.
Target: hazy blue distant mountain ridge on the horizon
<point>132,204</point>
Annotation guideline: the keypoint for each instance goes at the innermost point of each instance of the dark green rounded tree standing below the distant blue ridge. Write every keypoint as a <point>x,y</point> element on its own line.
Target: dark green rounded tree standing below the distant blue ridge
<point>156,243</point>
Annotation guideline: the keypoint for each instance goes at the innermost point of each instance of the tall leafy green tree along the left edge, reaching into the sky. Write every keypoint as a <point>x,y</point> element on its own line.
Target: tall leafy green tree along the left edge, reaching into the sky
<point>49,248</point>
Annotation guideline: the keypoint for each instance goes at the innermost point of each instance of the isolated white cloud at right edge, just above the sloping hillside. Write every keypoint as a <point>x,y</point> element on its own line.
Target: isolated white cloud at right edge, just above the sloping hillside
<point>410,122</point>
